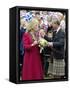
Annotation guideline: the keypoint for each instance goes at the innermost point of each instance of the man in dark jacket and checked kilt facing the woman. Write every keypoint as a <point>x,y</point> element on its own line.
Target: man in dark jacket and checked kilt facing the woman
<point>57,46</point>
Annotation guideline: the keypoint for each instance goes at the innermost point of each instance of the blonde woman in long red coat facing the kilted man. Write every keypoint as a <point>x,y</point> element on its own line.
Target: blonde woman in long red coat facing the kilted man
<point>32,66</point>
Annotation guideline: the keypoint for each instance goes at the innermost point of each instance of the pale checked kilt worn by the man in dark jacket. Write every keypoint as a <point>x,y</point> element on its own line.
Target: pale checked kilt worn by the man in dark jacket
<point>58,67</point>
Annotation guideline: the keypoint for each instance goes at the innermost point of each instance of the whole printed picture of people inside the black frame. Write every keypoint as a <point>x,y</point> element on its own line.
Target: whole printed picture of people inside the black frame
<point>42,45</point>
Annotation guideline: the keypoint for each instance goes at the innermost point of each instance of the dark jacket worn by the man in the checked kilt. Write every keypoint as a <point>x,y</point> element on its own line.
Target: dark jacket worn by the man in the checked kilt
<point>58,44</point>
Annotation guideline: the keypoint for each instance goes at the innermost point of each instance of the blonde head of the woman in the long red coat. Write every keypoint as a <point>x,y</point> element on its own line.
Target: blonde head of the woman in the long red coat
<point>33,25</point>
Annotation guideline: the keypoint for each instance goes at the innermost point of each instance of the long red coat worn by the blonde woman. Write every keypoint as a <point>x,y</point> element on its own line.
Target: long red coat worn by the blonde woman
<point>32,66</point>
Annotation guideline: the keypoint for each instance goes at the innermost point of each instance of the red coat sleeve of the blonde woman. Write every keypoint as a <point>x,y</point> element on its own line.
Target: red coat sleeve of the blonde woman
<point>25,41</point>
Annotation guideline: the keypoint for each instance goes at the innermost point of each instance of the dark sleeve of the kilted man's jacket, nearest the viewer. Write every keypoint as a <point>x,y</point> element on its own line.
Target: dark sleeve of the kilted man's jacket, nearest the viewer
<point>60,42</point>
